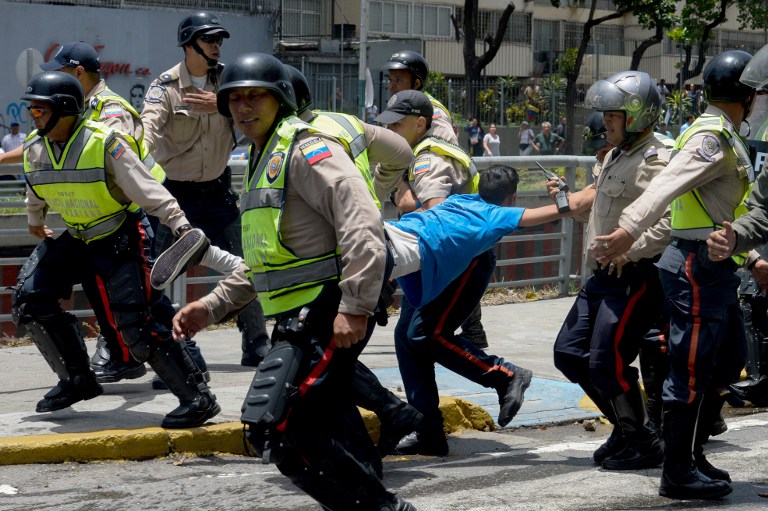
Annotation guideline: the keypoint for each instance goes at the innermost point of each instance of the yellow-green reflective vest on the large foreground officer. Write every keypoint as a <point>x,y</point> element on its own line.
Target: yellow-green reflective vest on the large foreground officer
<point>283,281</point>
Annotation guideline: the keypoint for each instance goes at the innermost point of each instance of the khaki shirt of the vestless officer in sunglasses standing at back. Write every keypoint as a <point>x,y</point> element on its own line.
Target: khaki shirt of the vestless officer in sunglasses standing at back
<point>190,146</point>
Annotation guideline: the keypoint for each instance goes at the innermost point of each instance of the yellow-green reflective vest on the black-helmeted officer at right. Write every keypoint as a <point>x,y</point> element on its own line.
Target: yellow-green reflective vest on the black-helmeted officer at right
<point>690,218</point>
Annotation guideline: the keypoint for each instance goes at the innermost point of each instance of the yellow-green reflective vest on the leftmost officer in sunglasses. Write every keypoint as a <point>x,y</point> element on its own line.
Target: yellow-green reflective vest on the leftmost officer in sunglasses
<point>76,186</point>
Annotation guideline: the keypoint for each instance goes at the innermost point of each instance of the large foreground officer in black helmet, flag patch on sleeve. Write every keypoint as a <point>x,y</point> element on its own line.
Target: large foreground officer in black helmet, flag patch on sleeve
<point>307,210</point>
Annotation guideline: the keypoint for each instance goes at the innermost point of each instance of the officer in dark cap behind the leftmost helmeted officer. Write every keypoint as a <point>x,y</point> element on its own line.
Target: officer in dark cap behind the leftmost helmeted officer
<point>111,361</point>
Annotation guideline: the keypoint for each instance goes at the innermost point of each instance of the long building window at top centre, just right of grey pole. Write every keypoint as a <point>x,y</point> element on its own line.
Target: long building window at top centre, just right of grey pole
<point>408,19</point>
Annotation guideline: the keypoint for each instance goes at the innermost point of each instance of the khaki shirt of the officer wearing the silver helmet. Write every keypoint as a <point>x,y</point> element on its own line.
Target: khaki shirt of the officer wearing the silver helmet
<point>624,176</point>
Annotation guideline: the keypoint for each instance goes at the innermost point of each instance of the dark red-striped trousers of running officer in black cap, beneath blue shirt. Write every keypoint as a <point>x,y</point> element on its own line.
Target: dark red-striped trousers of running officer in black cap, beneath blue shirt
<point>425,336</point>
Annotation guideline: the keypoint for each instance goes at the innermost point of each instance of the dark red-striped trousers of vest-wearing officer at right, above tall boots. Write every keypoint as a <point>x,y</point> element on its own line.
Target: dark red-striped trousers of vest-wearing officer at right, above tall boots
<point>707,342</point>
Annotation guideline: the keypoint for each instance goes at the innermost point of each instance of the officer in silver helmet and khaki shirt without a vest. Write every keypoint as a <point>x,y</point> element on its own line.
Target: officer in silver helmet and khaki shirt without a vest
<point>601,335</point>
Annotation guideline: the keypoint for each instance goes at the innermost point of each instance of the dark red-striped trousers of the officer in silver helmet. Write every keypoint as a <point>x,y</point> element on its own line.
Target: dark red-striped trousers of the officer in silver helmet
<point>602,333</point>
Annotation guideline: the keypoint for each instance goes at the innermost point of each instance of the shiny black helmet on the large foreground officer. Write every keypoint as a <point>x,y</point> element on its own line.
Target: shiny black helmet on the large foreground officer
<point>255,70</point>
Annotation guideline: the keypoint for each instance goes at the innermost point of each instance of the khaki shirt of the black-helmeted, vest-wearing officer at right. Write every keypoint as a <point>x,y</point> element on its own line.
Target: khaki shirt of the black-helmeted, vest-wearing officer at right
<point>707,163</point>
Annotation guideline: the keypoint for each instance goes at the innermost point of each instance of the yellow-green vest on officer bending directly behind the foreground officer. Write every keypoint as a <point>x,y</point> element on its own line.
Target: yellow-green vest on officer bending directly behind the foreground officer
<point>348,130</point>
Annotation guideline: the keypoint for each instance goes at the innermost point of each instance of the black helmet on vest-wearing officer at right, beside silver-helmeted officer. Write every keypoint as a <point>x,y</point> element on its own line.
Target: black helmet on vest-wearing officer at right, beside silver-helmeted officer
<point>721,77</point>
